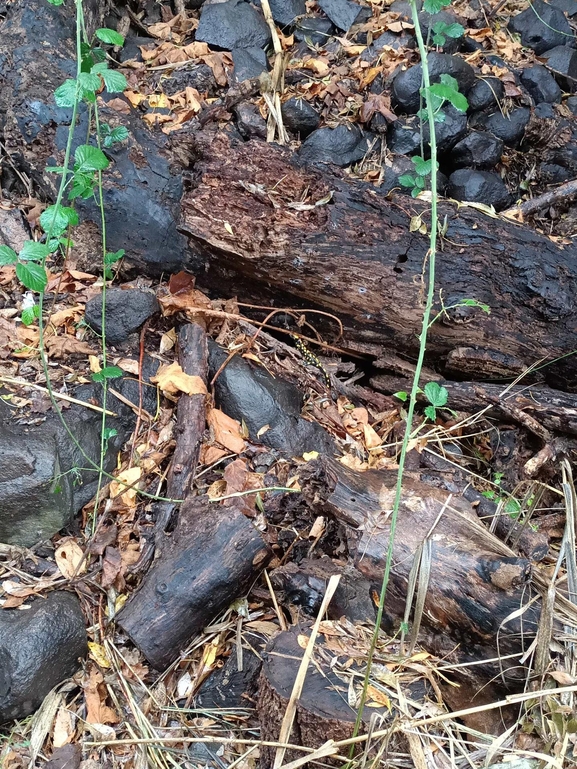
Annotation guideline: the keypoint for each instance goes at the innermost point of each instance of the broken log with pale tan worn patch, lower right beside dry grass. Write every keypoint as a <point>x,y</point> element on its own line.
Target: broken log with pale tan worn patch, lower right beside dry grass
<point>476,583</point>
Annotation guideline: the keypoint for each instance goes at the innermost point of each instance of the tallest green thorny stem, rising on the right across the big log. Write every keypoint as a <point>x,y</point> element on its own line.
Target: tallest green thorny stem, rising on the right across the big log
<point>418,367</point>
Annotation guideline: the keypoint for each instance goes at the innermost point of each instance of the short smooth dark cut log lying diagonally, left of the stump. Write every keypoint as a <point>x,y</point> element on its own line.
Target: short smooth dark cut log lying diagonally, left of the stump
<point>209,560</point>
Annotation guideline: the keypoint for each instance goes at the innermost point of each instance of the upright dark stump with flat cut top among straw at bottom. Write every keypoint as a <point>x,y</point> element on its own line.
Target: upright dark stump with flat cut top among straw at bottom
<point>322,711</point>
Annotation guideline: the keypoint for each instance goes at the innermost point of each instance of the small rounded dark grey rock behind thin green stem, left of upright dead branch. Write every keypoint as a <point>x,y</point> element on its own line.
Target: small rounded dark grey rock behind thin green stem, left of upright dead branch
<point>126,311</point>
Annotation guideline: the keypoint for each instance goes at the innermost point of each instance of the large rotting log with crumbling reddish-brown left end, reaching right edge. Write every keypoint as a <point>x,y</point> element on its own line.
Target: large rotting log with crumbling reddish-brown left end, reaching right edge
<point>355,256</point>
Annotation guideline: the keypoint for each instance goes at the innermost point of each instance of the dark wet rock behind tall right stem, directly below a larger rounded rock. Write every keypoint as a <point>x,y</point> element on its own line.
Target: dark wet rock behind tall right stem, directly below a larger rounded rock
<point>404,135</point>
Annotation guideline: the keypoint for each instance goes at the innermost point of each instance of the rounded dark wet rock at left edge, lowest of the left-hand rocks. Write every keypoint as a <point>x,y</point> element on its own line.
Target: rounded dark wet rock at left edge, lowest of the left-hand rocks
<point>39,647</point>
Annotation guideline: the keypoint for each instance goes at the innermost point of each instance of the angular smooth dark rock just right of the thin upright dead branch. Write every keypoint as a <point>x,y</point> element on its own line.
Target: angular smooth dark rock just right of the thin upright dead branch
<point>252,395</point>
